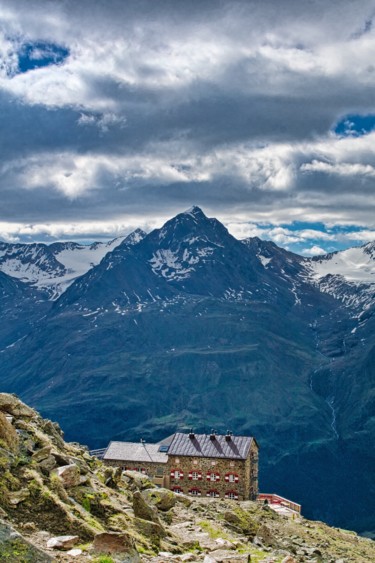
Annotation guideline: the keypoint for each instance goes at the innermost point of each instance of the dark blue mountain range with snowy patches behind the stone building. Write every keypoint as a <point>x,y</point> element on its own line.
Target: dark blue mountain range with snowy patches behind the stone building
<point>189,327</point>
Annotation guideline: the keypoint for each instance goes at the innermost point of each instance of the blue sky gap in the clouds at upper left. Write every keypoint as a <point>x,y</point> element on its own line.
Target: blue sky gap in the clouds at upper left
<point>39,55</point>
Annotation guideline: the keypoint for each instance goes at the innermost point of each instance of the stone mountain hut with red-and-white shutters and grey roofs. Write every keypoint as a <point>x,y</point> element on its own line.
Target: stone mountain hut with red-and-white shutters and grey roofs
<point>207,465</point>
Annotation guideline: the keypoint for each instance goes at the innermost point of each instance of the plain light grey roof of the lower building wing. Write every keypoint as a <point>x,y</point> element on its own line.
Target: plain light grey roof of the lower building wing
<point>137,452</point>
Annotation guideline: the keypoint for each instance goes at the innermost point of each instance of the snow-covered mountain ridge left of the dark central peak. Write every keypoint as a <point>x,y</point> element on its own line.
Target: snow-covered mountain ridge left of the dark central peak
<point>52,268</point>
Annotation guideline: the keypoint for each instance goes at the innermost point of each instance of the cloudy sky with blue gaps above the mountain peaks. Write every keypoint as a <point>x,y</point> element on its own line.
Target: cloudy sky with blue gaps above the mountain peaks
<point>121,113</point>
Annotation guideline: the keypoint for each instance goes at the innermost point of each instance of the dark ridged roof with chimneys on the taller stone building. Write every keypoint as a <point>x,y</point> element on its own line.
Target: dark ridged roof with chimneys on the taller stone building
<point>201,445</point>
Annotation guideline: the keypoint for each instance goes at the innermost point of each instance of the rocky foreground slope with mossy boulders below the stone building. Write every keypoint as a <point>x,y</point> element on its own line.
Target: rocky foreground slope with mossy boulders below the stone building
<point>58,503</point>
